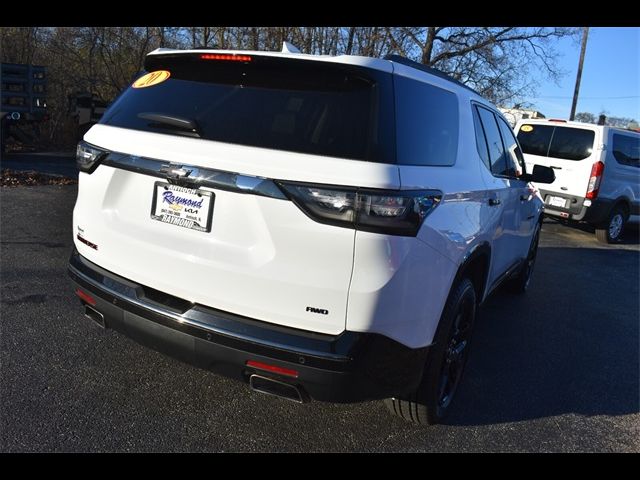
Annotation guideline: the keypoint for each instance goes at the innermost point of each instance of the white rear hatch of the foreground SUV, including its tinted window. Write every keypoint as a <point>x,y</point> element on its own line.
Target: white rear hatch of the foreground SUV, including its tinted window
<point>191,198</point>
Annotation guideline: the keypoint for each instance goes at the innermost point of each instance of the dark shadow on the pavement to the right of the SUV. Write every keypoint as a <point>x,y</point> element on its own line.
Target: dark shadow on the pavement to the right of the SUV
<point>571,345</point>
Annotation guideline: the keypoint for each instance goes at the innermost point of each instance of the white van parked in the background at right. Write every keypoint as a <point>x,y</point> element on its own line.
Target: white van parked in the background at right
<point>597,171</point>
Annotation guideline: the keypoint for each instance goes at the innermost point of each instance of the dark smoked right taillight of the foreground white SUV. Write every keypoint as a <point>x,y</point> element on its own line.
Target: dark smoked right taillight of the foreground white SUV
<point>394,212</point>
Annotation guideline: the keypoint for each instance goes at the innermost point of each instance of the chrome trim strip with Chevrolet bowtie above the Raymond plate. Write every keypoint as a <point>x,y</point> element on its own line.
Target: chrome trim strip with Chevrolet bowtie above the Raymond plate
<point>195,176</point>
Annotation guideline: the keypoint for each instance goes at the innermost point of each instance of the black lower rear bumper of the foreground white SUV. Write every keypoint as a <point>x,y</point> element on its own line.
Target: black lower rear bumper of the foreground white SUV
<point>349,367</point>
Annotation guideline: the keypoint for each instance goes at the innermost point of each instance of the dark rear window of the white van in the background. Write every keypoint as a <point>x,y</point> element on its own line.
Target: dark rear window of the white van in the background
<point>556,141</point>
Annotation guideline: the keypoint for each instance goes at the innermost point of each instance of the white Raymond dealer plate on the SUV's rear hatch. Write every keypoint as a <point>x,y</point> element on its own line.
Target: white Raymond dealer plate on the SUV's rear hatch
<point>184,207</point>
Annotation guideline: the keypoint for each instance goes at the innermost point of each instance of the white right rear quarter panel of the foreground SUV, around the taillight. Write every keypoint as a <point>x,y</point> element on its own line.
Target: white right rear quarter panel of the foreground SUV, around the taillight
<point>400,284</point>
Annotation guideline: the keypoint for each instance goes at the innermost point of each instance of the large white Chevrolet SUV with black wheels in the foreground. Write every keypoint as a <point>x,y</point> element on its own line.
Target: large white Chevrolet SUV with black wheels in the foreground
<point>320,227</point>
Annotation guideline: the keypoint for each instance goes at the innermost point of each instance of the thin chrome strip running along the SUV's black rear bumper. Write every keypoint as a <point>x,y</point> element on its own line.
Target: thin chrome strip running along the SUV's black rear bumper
<point>201,325</point>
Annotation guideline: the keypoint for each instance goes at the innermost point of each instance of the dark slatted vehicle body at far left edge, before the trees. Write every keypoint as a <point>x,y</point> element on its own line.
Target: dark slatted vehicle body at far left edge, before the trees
<point>23,105</point>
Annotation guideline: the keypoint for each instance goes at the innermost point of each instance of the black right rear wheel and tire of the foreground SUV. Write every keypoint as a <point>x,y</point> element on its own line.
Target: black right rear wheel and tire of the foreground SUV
<point>445,363</point>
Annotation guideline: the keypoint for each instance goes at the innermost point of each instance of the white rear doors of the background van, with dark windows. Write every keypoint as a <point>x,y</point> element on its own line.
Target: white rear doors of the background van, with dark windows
<point>569,150</point>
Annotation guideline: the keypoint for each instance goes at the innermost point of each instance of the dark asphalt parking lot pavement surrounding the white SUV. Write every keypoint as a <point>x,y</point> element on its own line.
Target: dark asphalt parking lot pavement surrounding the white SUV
<point>556,370</point>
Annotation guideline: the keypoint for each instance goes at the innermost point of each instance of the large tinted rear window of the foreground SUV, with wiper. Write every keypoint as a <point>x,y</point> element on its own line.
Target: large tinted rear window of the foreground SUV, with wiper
<point>295,105</point>
